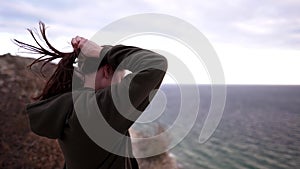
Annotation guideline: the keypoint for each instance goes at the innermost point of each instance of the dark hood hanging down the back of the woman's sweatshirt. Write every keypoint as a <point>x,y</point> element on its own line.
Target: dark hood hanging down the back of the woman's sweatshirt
<point>48,117</point>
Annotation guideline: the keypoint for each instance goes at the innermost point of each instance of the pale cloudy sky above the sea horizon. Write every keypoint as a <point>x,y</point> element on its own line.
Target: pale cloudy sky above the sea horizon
<point>257,42</point>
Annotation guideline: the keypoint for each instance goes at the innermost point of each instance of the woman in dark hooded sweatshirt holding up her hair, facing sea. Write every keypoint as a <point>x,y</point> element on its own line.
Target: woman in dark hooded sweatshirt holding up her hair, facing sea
<point>56,112</point>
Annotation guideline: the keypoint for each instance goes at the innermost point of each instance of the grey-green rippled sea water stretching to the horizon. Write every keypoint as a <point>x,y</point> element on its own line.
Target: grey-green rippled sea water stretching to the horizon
<point>260,128</point>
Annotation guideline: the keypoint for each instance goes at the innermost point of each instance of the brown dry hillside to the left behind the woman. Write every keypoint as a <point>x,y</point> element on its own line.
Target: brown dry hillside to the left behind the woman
<point>20,148</point>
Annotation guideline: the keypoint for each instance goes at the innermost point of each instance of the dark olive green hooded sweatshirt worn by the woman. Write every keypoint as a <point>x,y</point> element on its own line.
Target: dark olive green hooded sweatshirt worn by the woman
<point>58,116</point>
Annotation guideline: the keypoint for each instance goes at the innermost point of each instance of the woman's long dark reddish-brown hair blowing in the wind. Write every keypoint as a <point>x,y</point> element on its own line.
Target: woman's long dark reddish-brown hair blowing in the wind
<point>61,80</point>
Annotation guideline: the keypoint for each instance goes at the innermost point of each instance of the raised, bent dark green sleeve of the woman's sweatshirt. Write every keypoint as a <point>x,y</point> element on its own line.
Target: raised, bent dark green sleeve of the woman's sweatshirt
<point>121,104</point>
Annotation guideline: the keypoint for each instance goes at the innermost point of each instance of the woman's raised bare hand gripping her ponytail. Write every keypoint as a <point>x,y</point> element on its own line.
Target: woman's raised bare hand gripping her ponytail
<point>87,47</point>
